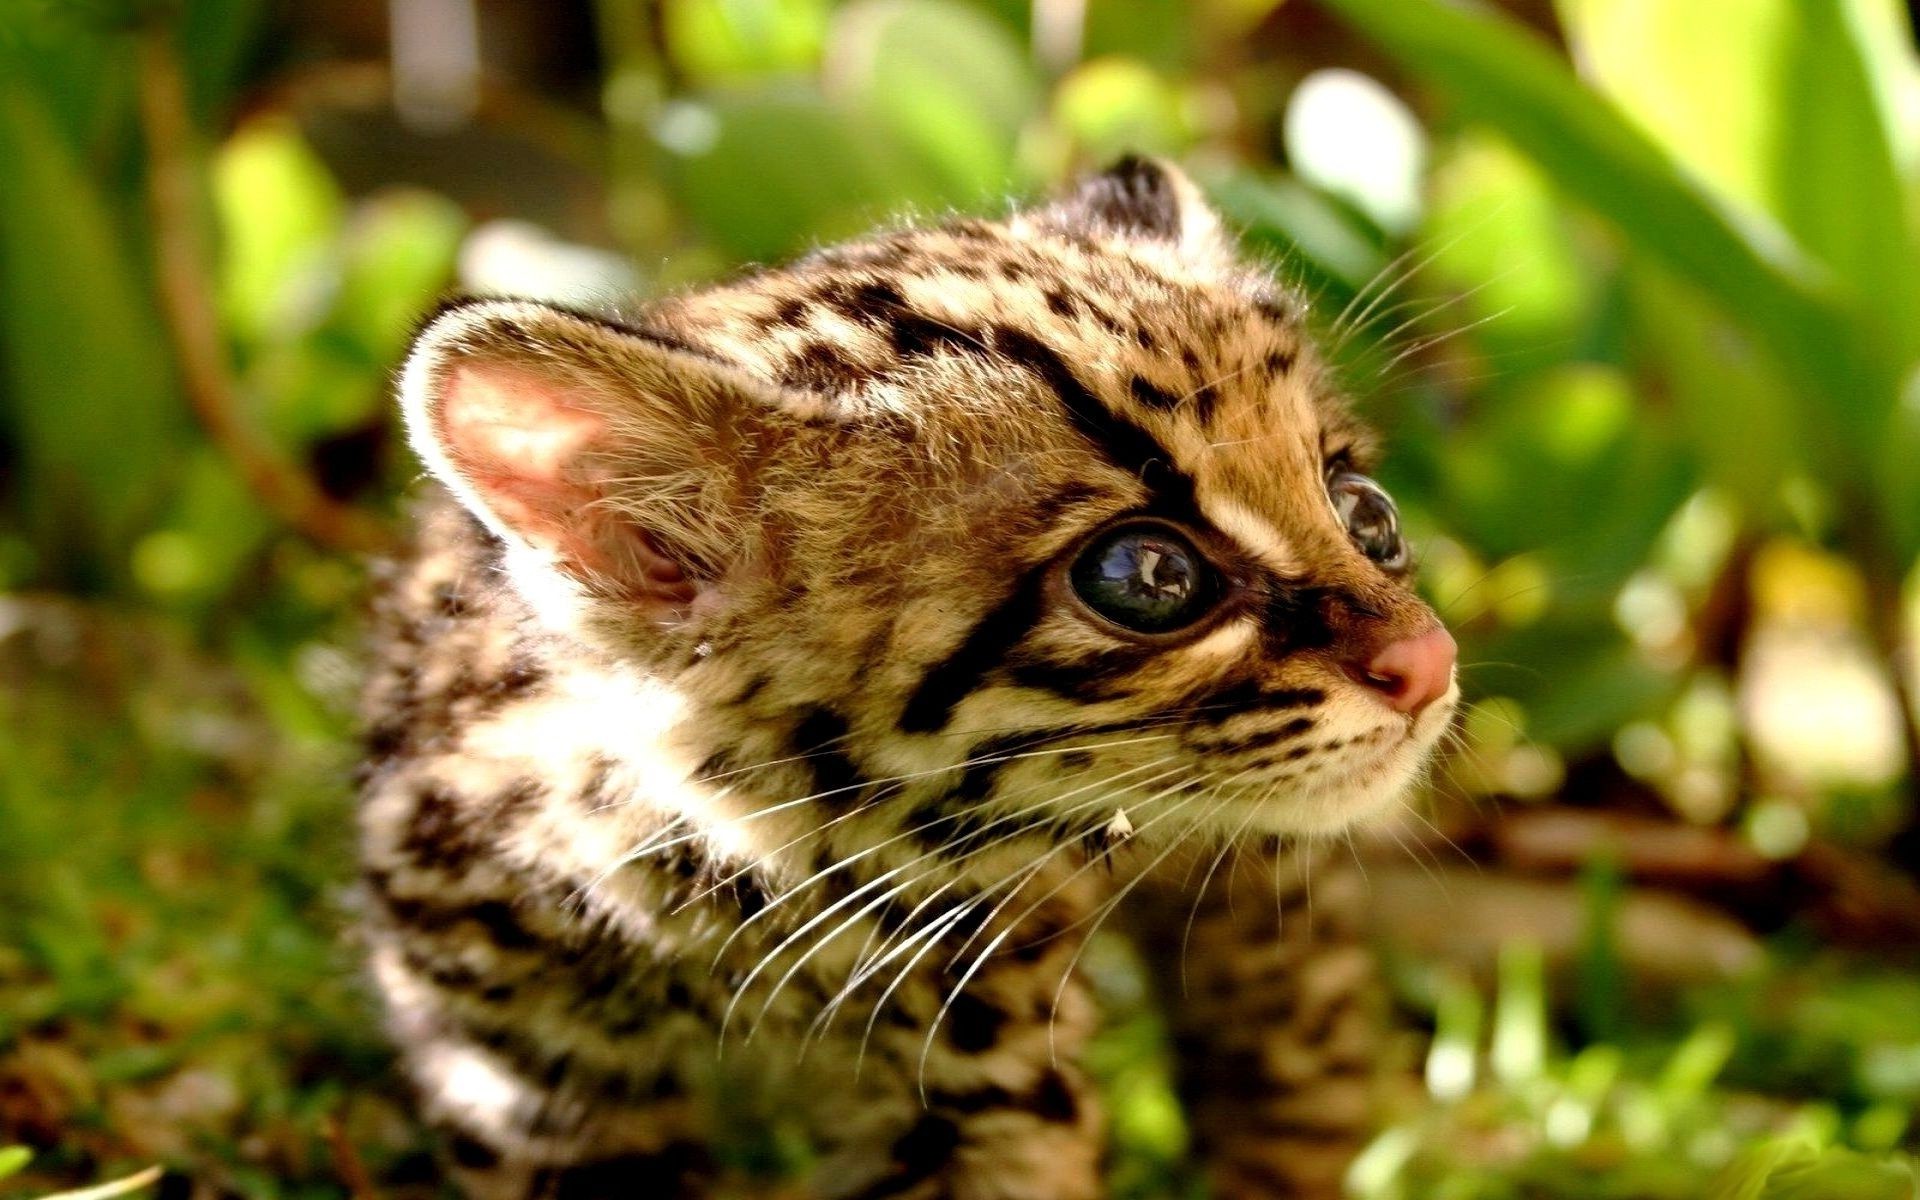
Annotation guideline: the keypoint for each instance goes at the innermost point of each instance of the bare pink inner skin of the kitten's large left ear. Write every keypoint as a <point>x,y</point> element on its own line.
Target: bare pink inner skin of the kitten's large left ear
<point>527,450</point>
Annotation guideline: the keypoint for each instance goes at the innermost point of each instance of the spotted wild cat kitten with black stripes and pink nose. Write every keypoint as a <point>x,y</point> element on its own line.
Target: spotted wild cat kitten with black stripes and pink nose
<point>790,679</point>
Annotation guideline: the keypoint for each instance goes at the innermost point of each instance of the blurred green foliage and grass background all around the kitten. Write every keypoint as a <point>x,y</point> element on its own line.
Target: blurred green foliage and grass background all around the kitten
<point>1631,287</point>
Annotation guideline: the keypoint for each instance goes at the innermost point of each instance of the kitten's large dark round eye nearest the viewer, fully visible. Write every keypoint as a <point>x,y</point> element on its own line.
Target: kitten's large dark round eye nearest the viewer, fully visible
<point>1147,579</point>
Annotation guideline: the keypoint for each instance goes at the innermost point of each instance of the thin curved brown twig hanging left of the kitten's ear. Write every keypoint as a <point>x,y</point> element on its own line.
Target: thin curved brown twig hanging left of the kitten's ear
<point>183,276</point>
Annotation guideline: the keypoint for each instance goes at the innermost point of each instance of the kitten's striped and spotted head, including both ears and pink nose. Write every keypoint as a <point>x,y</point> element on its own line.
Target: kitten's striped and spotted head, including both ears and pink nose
<point>1017,525</point>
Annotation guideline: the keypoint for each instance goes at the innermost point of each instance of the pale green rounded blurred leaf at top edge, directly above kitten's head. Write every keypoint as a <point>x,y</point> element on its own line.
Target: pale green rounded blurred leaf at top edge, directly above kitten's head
<point>948,84</point>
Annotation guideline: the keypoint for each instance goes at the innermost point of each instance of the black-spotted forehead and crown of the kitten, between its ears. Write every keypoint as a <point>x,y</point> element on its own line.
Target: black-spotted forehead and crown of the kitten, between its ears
<point>1134,347</point>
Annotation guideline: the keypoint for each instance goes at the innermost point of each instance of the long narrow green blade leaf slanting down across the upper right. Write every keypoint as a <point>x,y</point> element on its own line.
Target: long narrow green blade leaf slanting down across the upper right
<point>1499,74</point>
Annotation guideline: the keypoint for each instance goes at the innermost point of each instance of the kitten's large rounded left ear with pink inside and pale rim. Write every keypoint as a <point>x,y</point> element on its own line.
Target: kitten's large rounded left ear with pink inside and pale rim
<point>610,454</point>
